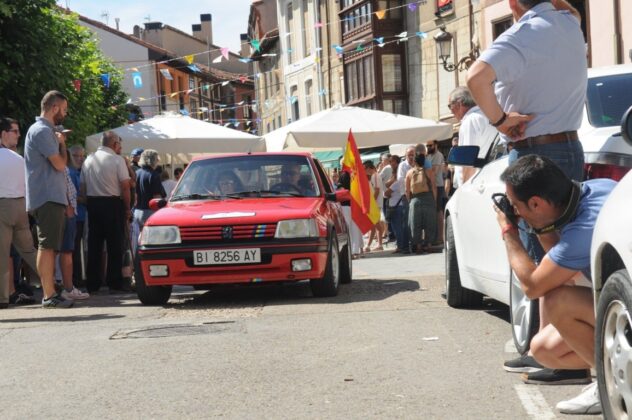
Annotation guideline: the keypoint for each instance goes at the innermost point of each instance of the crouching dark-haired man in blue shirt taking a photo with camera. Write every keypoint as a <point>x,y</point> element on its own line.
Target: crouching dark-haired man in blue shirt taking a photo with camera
<point>562,213</point>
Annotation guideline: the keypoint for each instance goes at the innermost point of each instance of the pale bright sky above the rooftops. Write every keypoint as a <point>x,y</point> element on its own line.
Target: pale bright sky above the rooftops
<point>230,17</point>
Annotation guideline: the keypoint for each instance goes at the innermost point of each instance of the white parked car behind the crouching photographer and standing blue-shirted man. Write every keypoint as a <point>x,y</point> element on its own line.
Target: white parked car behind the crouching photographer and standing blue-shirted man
<point>476,259</point>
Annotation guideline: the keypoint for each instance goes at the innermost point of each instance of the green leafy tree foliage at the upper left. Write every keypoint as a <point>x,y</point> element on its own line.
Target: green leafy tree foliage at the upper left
<point>44,48</point>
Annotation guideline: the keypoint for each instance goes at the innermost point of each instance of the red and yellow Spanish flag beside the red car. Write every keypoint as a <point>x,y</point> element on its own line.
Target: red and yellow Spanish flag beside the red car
<point>364,210</point>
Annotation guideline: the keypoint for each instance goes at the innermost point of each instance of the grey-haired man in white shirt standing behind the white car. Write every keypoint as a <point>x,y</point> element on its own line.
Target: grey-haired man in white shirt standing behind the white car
<point>475,129</point>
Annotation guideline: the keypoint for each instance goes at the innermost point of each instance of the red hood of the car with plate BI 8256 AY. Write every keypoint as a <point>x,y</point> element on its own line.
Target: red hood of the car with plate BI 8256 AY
<point>246,211</point>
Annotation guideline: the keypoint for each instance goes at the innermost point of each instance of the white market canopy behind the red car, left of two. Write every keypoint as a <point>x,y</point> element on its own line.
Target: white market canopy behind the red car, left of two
<point>178,138</point>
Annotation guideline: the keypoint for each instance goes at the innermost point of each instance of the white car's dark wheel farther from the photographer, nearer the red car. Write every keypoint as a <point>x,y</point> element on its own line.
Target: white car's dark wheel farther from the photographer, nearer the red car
<point>456,295</point>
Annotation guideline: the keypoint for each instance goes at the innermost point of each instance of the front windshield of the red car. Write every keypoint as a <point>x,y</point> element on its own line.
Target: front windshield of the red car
<point>237,177</point>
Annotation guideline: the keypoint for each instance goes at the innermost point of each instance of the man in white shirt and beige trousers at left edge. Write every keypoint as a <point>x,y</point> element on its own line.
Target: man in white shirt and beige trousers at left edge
<point>14,222</point>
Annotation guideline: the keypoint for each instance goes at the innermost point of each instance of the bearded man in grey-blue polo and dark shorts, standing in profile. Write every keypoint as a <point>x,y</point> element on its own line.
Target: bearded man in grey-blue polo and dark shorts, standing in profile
<point>45,158</point>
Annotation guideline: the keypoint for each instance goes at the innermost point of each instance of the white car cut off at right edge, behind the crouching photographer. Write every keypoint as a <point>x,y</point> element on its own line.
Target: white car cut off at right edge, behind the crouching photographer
<point>611,265</point>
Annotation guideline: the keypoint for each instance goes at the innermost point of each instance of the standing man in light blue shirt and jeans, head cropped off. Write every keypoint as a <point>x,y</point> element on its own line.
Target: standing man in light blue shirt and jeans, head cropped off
<point>531,84</point>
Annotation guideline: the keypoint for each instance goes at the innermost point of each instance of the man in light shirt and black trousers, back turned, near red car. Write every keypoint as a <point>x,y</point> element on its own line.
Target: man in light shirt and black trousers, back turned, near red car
<point>105,181</point>
